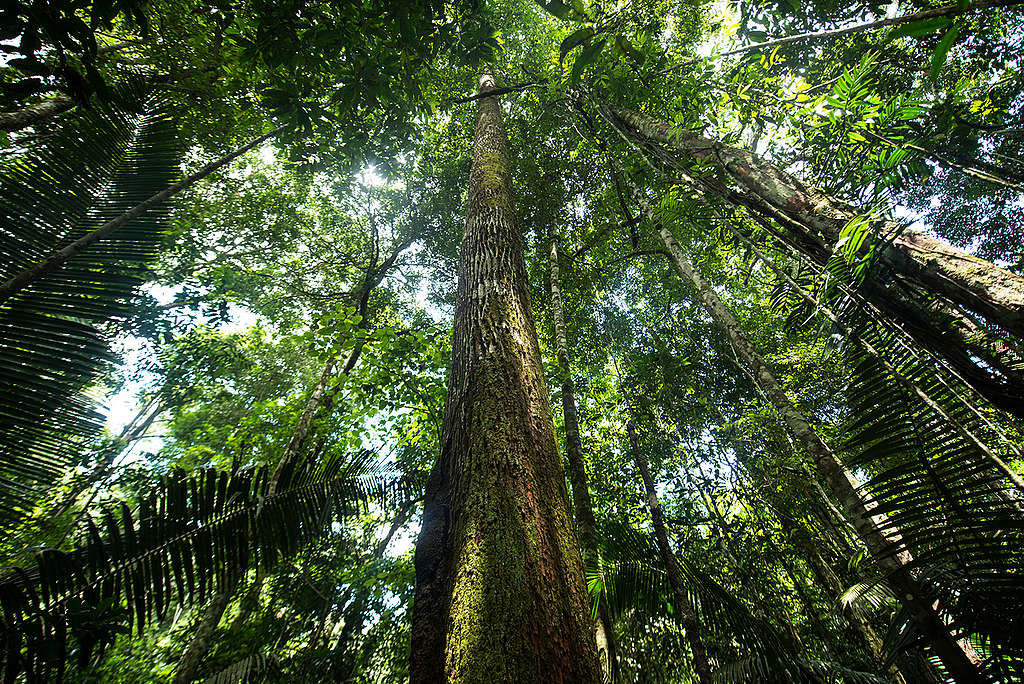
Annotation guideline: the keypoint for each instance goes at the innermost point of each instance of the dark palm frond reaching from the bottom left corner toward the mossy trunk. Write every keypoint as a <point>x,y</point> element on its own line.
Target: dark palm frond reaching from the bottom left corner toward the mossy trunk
<point>192,536</point>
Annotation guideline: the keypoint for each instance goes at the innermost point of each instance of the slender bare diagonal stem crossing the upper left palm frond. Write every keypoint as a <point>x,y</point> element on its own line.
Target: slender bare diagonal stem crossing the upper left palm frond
<point>57,260</point>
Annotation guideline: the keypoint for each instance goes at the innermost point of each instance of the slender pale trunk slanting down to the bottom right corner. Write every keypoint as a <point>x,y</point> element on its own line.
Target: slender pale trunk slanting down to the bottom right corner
<point>959,663</point>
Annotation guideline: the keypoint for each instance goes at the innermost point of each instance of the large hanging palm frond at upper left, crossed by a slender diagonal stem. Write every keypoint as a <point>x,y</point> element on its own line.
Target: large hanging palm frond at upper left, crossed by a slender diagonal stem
<point>94,168</point>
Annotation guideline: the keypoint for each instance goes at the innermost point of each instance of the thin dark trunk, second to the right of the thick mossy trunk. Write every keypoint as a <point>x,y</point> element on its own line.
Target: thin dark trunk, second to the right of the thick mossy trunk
<point>702,665</point>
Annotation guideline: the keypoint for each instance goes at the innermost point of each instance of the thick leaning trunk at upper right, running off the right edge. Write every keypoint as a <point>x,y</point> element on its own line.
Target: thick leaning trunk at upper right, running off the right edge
<point>813,223</point>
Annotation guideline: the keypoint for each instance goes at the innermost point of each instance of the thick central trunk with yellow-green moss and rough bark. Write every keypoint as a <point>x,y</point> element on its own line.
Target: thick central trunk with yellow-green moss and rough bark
<point>500,593</point>
